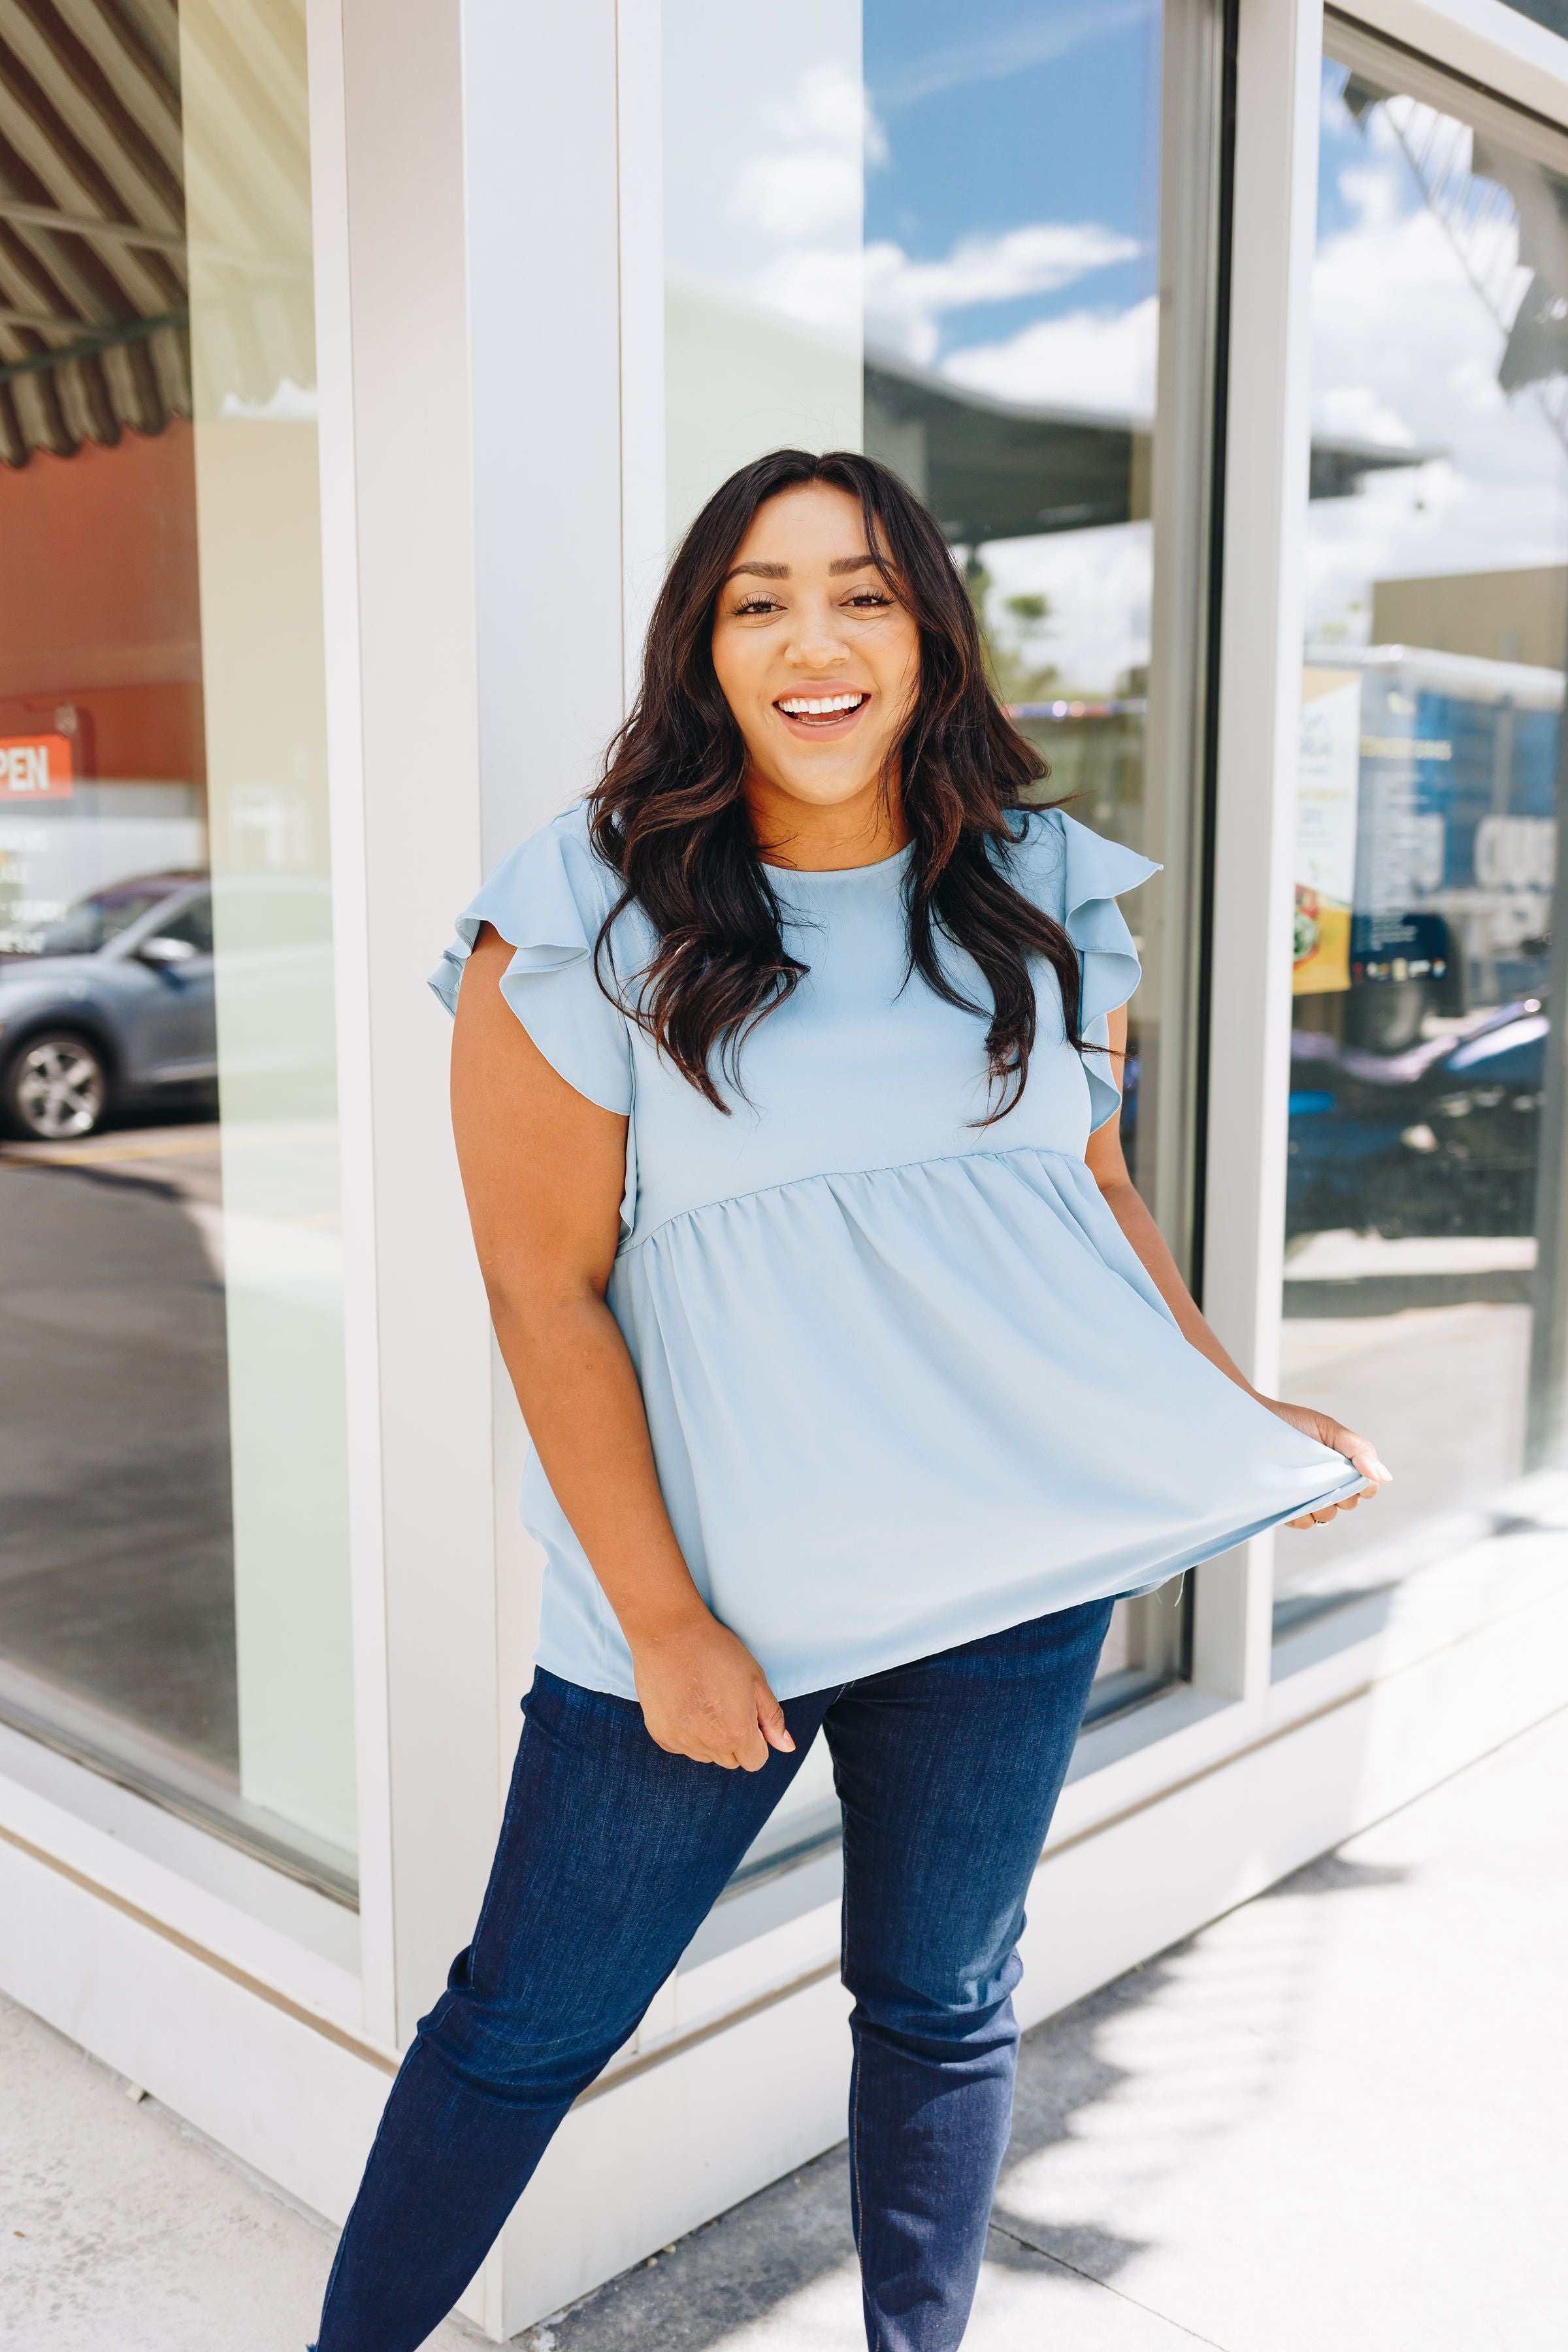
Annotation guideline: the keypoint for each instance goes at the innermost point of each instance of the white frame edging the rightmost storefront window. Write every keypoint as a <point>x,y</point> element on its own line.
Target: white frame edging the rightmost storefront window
<point>1492,46</point>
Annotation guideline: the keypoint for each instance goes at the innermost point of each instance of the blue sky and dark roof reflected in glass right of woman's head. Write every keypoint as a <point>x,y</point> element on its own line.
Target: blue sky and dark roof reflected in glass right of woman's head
<point>1012,319</point>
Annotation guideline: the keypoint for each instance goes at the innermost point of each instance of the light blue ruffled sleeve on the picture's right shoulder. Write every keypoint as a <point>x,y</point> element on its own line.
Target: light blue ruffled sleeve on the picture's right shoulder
<point>1078,876</point>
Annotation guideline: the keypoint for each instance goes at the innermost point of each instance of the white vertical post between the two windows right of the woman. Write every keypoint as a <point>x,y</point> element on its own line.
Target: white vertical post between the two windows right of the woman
<point>1261,636</point>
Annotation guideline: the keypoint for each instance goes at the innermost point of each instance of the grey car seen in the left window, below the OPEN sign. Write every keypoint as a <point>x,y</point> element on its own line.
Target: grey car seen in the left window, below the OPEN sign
<point>112,1010</point>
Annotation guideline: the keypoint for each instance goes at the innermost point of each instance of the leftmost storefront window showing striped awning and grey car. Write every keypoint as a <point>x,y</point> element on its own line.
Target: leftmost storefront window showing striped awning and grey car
<point>173,1469</point>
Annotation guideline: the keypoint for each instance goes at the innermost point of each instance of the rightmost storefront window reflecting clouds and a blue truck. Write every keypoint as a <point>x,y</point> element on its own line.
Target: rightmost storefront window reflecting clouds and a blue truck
<point>1423,1290</point>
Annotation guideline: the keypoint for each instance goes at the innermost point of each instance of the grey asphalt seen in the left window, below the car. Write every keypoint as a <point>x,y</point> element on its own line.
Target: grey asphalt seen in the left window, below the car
<point>114,1445</point>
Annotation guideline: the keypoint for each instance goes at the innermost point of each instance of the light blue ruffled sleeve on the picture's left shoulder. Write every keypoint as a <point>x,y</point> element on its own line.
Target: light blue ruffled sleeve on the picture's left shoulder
<point>549,900</point>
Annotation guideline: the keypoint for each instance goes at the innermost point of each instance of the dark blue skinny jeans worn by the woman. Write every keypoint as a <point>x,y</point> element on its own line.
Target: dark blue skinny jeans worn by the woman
<point>612,1855</point>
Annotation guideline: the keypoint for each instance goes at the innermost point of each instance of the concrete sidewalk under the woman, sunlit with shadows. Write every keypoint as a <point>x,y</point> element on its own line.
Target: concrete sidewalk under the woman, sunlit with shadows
<point>1332,2123</point>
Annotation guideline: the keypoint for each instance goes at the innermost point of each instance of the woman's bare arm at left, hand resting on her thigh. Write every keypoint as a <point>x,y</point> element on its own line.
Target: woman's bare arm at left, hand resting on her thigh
<point>544,1172</point>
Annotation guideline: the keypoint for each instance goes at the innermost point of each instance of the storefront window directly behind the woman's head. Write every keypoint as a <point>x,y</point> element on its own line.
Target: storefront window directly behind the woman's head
<point>934,236</point>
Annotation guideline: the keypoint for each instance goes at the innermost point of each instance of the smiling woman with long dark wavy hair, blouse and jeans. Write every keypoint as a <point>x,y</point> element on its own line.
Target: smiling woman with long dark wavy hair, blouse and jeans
<point>857,1375</point>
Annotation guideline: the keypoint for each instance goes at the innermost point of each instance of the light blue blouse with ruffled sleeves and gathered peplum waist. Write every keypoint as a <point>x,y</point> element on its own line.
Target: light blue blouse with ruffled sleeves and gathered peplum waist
<point>906,1379</point>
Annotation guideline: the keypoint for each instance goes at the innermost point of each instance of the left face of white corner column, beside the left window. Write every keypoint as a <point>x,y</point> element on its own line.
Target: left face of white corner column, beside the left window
<point>410,803</point>
